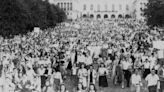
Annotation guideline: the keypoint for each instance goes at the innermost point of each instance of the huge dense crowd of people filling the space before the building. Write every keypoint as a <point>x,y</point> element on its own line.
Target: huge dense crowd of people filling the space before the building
<point>89,51</point>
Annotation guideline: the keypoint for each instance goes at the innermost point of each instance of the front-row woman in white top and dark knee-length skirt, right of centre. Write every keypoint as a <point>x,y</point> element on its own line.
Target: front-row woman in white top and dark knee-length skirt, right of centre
<point>102,73</point>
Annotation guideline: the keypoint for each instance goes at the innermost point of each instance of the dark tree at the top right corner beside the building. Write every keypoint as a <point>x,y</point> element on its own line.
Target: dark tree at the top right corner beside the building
<point>154,13</point>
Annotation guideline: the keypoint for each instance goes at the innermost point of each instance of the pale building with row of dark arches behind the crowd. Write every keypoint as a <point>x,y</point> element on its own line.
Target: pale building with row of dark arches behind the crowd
<point>101,9</point>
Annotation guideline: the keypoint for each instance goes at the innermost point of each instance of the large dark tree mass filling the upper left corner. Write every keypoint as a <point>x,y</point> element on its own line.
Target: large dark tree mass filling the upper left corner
<point>21,16</point>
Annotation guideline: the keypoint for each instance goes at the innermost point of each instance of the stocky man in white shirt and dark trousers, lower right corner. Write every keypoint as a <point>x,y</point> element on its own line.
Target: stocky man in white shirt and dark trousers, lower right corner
<point>152,81</point>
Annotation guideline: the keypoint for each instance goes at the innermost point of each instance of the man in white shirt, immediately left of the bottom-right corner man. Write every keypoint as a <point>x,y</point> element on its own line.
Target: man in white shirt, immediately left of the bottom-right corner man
<point>135,81</point>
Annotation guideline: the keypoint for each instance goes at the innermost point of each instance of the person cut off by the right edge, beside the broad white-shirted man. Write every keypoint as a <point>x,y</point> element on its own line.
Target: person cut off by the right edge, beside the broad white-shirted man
<point>161,78</point>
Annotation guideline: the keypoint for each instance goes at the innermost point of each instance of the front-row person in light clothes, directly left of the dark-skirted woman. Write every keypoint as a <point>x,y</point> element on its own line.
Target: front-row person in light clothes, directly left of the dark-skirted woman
<point>92,75</point>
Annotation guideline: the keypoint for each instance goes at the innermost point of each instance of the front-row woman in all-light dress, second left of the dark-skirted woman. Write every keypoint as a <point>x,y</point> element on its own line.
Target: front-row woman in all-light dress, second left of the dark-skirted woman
<point>82,75</point>
